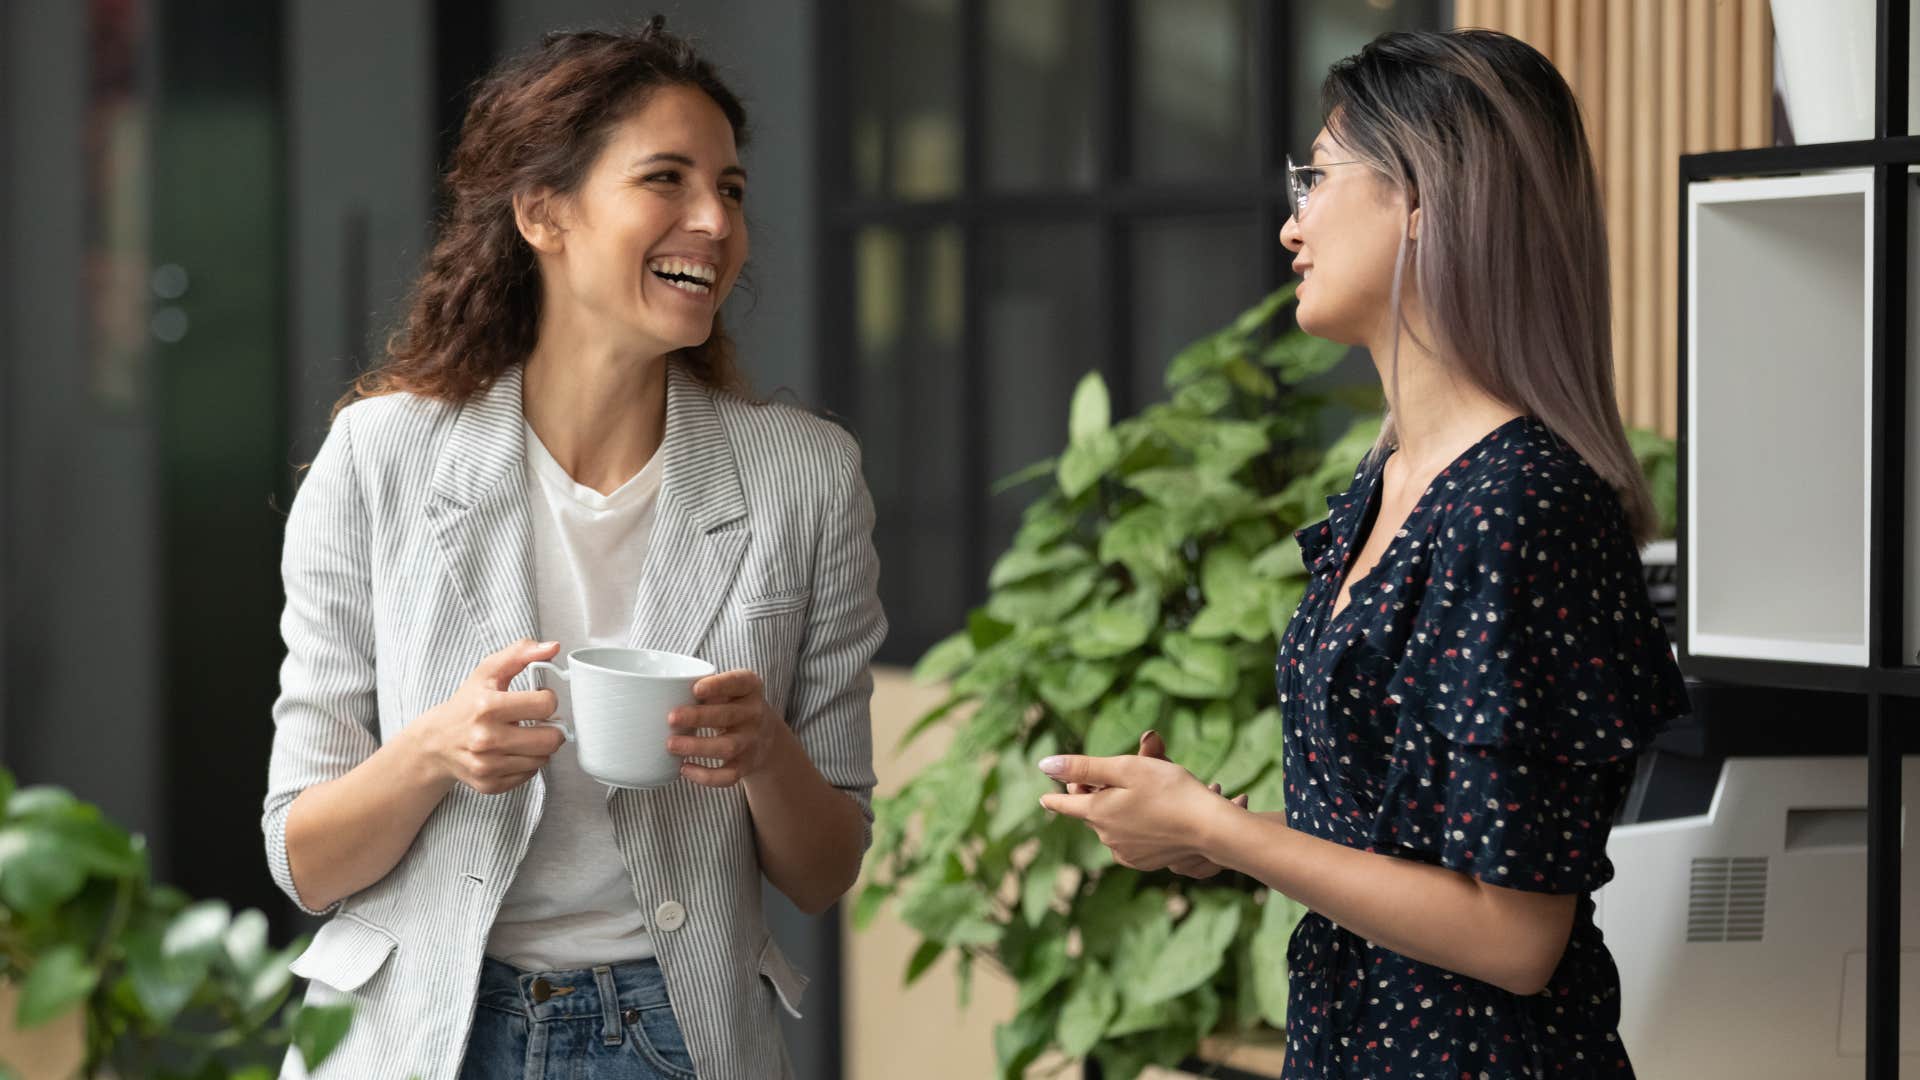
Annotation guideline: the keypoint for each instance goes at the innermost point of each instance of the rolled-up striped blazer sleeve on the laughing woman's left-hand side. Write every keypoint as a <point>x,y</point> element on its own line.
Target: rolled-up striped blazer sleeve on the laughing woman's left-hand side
<point>325,718</point>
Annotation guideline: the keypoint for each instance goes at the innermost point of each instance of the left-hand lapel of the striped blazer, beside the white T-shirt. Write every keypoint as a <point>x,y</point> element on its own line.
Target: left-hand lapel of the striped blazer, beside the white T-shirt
<point>479,512</point>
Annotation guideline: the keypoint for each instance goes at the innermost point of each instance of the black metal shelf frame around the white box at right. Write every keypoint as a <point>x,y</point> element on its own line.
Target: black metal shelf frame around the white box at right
<point>1888,681</point>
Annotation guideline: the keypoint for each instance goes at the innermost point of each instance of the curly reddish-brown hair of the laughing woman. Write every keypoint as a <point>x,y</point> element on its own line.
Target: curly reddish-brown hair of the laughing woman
<point>537,122</point>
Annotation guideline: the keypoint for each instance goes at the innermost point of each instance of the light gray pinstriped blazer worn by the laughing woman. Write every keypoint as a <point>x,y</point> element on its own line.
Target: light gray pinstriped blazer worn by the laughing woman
<point>408,560</point>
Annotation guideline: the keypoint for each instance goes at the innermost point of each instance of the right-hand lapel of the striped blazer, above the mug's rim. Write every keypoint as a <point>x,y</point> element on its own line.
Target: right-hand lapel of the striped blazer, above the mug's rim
<point>698,529</point>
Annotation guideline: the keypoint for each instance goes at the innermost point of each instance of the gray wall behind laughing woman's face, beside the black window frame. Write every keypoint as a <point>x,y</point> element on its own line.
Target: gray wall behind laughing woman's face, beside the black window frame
<point>761,49</point>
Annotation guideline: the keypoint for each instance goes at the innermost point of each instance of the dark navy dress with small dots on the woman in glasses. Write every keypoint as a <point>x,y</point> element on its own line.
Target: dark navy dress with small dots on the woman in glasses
<point>1476,706</point>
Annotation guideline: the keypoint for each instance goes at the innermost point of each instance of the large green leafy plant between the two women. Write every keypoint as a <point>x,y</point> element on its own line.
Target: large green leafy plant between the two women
<point>1147,589</point>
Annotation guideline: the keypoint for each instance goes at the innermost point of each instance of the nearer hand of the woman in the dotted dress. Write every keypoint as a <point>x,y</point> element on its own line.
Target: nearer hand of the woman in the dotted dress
<point>1147,810</point>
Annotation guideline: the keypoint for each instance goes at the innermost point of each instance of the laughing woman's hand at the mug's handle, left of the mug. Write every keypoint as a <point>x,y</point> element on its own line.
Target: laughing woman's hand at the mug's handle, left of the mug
<point>477,735</point>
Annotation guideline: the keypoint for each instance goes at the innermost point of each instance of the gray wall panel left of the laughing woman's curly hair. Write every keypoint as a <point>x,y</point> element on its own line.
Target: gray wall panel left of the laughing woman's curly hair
<point>360,189</point>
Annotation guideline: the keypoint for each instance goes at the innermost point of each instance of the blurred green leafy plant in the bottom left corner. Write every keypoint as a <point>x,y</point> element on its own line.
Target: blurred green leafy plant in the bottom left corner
<point>170,987</point>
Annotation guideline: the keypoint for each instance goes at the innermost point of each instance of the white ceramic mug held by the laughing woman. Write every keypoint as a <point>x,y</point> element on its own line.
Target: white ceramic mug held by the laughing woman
<point>621,700</point>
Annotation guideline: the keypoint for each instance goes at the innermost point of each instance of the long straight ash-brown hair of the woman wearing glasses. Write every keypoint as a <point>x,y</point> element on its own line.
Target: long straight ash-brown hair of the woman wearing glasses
<point>1512,262</point>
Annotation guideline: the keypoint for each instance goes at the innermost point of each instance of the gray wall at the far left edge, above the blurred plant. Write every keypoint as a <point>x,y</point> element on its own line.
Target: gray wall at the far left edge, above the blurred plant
<point>82,681</point>
